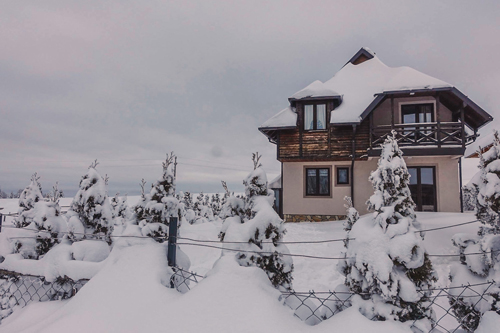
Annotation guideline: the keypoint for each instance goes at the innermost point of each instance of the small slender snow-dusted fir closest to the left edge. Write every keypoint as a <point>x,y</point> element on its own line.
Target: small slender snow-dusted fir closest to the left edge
<point>27,200</point>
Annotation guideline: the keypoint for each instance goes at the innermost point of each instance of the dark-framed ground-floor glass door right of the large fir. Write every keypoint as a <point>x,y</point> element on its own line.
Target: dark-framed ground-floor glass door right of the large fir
<point>423,188</point>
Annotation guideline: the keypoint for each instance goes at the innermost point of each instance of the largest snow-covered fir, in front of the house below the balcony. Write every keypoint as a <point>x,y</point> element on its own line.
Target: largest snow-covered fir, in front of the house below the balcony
<point>386,263</point>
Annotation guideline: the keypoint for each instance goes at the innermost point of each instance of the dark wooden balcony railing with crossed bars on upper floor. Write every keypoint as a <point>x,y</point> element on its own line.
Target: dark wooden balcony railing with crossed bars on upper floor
<point>422,134</point>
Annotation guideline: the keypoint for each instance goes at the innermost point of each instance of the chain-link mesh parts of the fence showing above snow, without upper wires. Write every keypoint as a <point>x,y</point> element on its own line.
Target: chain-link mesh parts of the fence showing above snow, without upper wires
<point>312,307</point>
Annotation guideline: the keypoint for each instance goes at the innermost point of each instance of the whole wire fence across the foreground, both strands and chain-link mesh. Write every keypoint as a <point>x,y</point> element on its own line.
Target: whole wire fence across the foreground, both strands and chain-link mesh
<point>311,307</point>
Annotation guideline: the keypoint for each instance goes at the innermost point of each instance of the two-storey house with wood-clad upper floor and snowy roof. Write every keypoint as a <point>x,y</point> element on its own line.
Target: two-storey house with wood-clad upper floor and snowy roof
<point>328,138</point>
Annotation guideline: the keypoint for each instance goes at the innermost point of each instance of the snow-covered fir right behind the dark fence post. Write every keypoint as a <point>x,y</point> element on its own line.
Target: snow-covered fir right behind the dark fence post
<point>156,207</point>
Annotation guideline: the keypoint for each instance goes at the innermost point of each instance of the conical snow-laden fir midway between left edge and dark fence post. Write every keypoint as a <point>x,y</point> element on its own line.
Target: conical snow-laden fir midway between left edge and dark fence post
<point>90,213</point>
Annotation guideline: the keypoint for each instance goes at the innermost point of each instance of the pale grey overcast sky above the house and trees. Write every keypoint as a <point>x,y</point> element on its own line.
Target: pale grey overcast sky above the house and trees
<point>125,82</point>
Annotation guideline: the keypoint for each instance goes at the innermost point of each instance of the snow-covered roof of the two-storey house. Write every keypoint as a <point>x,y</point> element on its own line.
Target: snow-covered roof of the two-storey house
<point>363,83</point>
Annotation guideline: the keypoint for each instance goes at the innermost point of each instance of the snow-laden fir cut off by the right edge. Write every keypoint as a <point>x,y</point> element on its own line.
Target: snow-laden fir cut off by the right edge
<point>479,269</point>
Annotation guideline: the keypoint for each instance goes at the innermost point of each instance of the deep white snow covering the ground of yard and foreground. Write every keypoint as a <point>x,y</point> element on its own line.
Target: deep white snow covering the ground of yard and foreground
<point>126,295</point>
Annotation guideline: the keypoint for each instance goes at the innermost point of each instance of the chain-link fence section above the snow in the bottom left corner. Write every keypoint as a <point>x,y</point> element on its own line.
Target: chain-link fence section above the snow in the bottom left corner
<point>20,290</point>
